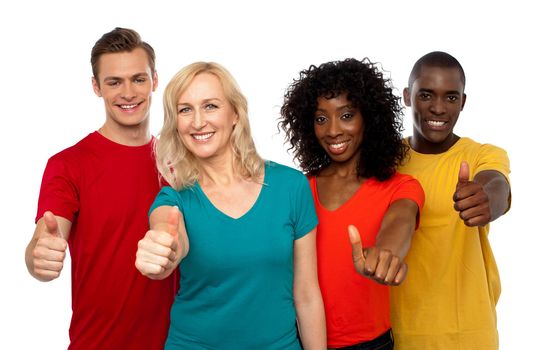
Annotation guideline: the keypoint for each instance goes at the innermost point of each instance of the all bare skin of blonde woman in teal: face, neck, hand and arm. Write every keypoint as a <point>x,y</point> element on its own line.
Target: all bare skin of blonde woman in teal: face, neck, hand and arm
<point>205,123</point>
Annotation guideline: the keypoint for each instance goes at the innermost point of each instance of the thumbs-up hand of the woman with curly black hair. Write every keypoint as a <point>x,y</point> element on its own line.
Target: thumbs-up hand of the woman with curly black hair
<point>380,265</point>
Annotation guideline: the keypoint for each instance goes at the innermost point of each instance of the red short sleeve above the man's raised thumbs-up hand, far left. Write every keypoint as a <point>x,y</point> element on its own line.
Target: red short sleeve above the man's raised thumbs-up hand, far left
<point>59,189</point>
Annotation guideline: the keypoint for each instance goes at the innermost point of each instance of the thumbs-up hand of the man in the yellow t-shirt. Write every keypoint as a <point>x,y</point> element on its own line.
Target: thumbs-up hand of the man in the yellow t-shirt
<point>470,199</point>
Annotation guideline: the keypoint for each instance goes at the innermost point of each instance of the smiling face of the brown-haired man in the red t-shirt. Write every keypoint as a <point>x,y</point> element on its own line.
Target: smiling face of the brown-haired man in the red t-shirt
<point>125,82</point>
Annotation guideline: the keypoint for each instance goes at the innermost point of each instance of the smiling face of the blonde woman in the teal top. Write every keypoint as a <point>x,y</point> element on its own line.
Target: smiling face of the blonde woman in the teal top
<point>206,118</point>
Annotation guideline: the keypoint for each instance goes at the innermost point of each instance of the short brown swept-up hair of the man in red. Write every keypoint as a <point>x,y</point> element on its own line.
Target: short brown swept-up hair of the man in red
<point>120,40</point>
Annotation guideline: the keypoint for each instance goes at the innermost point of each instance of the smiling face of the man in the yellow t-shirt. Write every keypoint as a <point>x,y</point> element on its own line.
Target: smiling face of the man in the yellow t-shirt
<point>437,98</point>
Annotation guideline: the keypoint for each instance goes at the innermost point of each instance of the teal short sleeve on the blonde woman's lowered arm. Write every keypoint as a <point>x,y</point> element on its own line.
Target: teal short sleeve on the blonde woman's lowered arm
<point>303,209</point>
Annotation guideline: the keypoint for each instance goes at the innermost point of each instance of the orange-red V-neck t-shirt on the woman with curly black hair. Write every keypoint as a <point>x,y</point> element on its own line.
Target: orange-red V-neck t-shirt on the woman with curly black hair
<point>356,308</point>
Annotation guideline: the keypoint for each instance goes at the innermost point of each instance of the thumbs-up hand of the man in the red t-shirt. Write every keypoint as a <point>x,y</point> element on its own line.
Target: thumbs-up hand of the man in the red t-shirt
<point>50,250</point>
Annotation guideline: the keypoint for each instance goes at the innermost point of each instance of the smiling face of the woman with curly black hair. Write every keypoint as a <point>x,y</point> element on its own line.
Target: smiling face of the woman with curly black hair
<point>339,127</point>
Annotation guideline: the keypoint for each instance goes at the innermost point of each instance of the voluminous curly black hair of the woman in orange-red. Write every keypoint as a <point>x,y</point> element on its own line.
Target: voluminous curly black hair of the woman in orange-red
<point>382,149</point>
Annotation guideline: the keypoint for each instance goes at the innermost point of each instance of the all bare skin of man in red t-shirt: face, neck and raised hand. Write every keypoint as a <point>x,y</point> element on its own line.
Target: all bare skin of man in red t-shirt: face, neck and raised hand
<point>125,83</point>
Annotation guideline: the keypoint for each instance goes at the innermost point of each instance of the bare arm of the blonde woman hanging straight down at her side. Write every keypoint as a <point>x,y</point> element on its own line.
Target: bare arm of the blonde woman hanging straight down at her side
<point>307,295</point>
